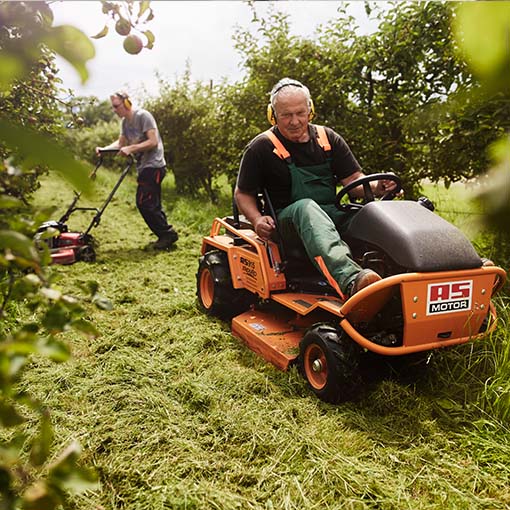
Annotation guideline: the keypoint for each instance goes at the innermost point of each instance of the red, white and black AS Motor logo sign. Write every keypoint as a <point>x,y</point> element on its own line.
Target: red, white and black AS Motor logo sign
<point>449,297</point>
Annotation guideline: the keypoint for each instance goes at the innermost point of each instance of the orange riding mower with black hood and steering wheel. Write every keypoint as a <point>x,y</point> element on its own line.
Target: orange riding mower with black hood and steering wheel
<point>435,292</point>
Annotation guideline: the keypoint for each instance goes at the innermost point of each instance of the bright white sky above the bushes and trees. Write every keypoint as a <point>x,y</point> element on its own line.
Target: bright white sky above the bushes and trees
<point>192,33</point>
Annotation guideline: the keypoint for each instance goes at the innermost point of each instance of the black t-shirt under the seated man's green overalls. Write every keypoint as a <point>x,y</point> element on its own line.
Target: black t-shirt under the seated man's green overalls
<point>262,168</point>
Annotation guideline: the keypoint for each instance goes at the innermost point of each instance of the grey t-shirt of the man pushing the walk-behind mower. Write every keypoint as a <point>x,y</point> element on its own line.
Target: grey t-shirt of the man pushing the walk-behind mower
<point>135,132</point>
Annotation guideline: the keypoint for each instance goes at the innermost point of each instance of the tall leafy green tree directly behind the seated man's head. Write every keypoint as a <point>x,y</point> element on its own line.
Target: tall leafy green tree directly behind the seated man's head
<point>384,92</point>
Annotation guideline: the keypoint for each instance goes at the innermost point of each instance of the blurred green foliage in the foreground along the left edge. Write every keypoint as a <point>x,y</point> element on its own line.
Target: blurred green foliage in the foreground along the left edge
<point>33,313</point>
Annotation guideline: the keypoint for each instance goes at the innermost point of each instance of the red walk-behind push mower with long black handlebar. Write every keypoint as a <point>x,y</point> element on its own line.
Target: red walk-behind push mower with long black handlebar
<point>70,247</point>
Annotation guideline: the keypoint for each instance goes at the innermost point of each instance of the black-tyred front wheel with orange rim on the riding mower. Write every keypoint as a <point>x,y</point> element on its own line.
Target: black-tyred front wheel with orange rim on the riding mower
<point>329,361</point>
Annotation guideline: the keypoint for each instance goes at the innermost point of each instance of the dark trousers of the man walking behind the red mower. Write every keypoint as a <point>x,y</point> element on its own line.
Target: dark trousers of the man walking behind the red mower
<point>148,200</point>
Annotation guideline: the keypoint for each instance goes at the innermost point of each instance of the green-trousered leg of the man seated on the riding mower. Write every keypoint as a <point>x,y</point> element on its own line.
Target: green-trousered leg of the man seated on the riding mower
<point>305,220</point>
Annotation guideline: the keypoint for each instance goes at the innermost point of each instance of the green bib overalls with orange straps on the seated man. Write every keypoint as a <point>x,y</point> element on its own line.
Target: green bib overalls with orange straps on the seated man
<point>312,219</point>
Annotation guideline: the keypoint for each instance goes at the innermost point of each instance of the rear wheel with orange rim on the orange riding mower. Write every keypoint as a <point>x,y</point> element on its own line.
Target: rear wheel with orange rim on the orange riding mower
<point>215,292</point>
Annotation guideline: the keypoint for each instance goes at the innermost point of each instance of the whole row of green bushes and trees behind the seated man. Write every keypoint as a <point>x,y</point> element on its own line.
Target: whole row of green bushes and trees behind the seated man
<point>402,97</point>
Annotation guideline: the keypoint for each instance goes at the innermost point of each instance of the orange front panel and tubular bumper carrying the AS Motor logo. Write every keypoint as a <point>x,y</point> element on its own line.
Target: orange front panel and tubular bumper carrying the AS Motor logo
<point>439,309</point>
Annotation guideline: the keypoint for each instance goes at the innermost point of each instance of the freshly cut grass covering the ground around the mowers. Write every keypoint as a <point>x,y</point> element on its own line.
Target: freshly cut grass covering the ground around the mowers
<point>176,413</point>
